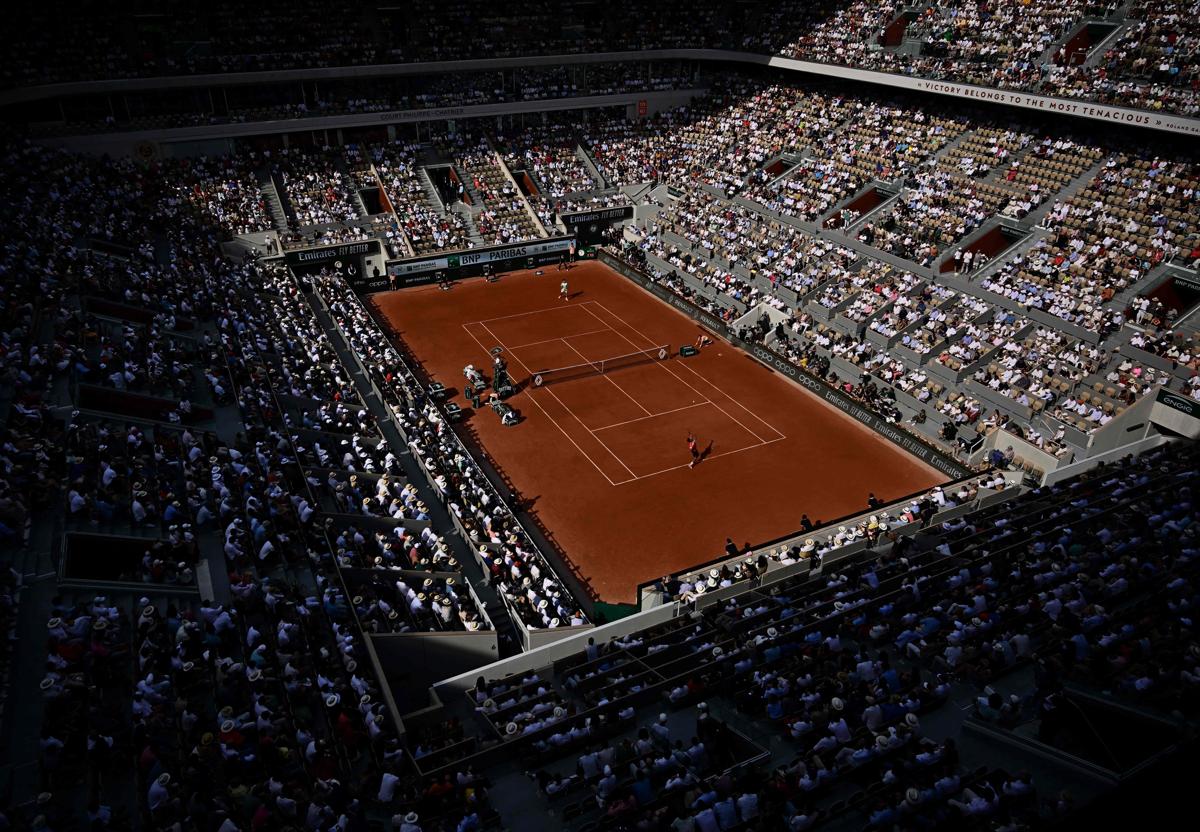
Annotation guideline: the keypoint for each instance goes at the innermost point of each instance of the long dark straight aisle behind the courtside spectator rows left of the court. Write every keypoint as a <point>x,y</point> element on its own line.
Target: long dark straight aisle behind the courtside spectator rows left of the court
<point>509,643</point>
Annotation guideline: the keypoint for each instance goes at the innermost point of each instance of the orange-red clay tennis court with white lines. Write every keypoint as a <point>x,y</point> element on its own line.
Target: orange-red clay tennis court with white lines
<point>602,459</point>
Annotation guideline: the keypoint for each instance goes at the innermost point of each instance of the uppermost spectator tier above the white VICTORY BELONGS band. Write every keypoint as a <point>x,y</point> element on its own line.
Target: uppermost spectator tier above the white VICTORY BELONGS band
<point>1130,55</point>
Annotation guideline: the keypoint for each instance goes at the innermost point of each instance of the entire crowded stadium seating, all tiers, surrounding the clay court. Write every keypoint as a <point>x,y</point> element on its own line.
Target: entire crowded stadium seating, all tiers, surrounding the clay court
<point>255,578</point>
